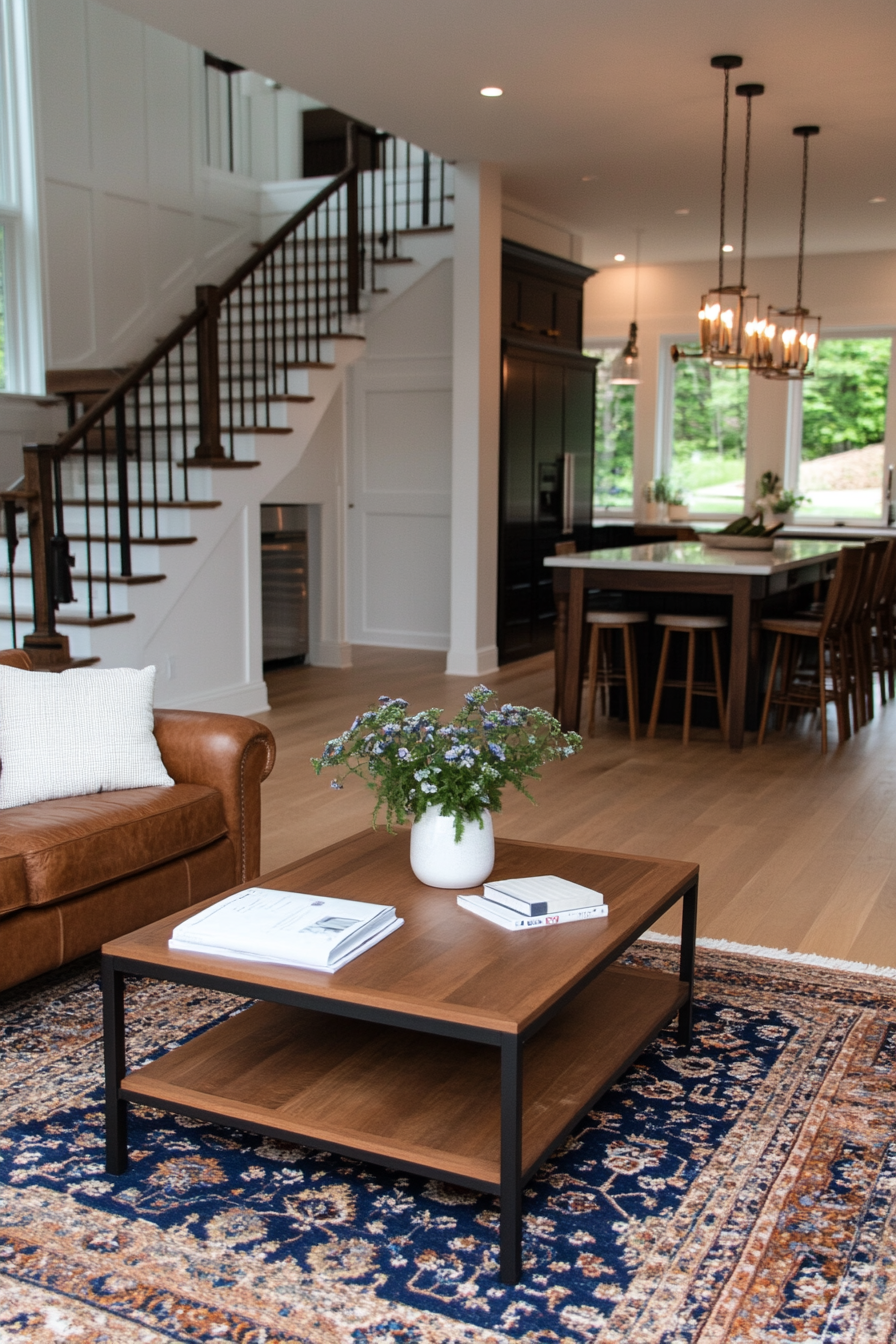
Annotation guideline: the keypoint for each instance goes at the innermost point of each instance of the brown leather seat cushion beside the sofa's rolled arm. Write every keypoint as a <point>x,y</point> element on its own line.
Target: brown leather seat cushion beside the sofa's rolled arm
<point>69,846</point>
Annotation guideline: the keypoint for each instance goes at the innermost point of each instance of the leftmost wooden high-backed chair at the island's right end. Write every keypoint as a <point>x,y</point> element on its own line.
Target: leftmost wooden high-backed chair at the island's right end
<point>807,685</point>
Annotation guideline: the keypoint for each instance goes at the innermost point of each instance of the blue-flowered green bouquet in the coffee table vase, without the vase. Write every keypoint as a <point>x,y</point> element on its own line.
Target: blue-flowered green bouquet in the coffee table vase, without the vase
<point>413,761</point>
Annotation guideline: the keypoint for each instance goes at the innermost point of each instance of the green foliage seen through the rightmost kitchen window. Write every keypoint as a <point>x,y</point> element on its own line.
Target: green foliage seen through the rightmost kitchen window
<point>846,404</point>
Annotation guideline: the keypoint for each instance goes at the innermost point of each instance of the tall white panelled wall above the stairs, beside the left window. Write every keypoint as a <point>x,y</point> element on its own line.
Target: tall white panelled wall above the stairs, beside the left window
<point>132,218</point>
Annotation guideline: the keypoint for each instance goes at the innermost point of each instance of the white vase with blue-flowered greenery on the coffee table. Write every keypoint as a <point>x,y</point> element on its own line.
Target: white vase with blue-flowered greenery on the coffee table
<point>447,778</point>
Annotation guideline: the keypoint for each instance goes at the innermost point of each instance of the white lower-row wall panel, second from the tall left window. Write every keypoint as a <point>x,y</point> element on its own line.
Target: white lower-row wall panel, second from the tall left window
<point>123,239</point>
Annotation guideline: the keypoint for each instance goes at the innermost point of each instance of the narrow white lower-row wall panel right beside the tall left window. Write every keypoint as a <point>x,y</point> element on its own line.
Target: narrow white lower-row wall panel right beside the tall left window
<point>69,233</point>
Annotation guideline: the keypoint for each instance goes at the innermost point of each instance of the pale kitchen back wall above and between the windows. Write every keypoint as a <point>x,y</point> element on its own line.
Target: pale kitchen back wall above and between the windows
<point>850,291</point>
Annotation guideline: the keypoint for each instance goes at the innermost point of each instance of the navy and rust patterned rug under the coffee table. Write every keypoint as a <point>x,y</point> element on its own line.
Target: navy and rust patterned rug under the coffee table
<point>744,1193</point>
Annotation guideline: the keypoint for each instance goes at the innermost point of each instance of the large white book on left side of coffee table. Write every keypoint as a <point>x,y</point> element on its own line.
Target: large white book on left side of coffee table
<point>315,933</point>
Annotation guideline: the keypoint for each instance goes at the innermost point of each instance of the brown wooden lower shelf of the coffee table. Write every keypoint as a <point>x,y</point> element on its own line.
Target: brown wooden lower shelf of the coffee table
<point>410,1100</point>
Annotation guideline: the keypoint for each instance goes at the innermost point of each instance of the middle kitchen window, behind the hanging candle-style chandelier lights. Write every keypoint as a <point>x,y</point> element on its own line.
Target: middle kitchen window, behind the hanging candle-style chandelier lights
<point>705,432</point>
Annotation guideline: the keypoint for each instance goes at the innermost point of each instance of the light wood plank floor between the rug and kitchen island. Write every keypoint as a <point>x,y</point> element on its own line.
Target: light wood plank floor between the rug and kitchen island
<point>796,850</point>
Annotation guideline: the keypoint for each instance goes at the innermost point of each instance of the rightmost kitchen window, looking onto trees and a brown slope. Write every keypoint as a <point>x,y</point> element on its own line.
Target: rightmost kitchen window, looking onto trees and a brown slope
<point>839,423</point>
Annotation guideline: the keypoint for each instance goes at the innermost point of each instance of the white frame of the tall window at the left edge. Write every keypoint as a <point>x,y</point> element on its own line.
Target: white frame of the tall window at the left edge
<point>25,351</point>
